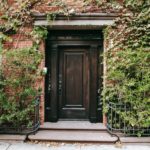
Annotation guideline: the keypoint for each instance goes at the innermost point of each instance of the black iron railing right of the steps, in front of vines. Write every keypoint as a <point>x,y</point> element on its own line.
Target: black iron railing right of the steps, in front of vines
<point>117,125</point>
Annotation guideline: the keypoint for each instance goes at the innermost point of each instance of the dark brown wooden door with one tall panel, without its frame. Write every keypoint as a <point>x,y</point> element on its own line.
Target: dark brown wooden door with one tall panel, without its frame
<point>73,83</point>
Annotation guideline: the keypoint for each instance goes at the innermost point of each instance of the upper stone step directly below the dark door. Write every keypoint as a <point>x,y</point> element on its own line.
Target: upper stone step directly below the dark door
<point>73,125</point>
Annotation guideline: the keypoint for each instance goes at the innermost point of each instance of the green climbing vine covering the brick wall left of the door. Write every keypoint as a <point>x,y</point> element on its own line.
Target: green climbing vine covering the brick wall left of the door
<point>19,71</point>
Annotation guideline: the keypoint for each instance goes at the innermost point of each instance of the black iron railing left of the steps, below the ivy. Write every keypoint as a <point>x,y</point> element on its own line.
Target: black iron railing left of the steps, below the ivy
<point>24,129</point>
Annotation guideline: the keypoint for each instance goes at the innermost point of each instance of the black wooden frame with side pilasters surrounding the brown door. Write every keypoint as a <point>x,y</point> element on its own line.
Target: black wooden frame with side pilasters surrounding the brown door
<point>51,103</point>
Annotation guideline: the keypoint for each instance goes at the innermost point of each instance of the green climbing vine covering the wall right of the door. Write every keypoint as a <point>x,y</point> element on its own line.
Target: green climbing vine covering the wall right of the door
<point>128,63</point>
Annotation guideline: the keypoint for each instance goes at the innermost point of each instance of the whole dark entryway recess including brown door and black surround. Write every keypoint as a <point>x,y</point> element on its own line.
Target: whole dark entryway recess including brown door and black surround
<point>73,83</point>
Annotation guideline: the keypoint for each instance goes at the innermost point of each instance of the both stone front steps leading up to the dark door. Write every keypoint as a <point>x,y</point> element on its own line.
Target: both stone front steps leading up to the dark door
<point>73,131</point>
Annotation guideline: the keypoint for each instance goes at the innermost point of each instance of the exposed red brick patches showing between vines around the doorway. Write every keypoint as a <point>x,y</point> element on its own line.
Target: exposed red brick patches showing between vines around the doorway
<point>21,40</point>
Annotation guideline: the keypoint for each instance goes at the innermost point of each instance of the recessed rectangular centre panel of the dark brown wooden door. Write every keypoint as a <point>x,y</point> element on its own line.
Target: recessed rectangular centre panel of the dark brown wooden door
<point>73,82</point>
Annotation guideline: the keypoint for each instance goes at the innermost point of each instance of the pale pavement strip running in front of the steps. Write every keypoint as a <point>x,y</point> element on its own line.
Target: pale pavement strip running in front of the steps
<point>9,145</point>
